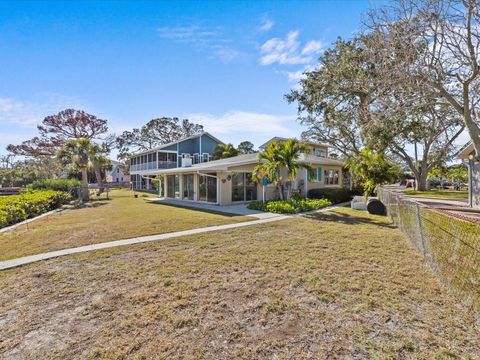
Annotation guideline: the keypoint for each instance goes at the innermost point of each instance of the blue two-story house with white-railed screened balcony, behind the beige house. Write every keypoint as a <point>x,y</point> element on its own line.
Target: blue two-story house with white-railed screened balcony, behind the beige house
<point>197,149</point>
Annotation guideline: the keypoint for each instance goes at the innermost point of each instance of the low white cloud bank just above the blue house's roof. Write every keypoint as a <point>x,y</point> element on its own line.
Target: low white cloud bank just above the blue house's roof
<point>234,122</point>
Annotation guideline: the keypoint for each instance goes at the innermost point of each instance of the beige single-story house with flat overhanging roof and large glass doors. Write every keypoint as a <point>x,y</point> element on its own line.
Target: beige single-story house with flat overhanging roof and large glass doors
<point>229,181</point>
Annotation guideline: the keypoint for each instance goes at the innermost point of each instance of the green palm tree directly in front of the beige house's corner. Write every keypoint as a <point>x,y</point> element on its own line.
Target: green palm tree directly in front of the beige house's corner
<point>278,155</point>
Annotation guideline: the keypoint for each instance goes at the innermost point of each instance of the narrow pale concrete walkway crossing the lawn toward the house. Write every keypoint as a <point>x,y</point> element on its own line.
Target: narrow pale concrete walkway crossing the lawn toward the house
<point>9,264</point>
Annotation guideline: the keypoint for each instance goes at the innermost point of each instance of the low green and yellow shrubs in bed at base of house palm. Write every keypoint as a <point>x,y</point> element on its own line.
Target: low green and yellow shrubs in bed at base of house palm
<point>291,206</point>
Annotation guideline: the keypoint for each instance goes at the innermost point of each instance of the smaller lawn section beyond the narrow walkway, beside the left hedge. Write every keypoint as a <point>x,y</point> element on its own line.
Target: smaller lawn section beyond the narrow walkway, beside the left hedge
<point>123,216</point>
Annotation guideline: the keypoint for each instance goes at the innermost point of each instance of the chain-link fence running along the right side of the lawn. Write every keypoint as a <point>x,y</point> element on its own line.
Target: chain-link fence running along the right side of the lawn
<point>450,245</point>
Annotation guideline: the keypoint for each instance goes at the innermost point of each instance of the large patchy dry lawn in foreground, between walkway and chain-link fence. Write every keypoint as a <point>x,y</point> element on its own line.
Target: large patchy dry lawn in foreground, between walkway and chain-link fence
<point>342,284</point>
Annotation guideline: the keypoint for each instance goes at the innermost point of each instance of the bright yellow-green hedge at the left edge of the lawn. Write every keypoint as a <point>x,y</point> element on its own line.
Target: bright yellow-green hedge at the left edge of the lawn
<point>14,209</point>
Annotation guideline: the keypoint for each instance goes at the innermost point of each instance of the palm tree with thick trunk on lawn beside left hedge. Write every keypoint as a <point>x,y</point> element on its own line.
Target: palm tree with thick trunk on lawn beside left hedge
<point>76,152</point>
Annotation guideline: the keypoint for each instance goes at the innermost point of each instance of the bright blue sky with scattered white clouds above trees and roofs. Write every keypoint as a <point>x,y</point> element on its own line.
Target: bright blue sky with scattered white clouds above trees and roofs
<point>226,65</point>
